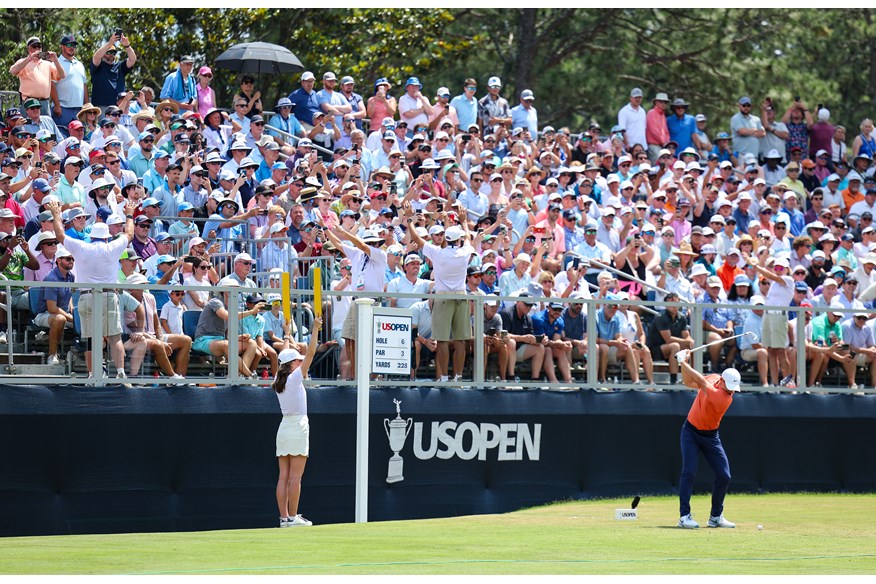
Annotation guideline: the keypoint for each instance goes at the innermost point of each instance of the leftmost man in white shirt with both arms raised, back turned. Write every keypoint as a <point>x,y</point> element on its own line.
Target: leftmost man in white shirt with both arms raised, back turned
<point>98,262</point>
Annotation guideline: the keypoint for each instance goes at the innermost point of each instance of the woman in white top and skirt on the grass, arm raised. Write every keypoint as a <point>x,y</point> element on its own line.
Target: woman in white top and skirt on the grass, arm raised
<point>293,435</point>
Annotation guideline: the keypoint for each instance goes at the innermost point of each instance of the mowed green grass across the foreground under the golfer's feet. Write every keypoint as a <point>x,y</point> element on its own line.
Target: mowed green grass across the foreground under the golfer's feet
<point>803,534</point>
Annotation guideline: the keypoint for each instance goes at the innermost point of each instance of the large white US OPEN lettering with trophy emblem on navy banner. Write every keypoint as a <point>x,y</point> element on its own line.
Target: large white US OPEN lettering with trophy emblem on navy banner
<point>465,440</point>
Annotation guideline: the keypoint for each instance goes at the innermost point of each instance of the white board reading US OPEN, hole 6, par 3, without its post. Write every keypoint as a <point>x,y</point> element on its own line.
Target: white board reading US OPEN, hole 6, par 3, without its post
<point>392,346</point>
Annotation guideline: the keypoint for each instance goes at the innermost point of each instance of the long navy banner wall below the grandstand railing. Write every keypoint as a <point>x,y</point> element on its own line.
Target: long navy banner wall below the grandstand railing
<point>86,460</point>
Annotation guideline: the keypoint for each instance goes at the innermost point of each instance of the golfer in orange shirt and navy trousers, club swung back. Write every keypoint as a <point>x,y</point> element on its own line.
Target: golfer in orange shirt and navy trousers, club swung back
<point>700,434</point>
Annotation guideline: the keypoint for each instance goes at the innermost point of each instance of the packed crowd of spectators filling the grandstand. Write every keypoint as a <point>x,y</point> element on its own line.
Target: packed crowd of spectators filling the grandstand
<point>432,194</point>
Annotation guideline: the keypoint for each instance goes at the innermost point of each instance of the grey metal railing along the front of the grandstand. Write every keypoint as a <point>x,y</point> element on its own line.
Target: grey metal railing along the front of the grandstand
<point>305,294</point>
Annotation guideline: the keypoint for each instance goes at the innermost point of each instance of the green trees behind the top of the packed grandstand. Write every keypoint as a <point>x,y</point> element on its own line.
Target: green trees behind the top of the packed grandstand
<point>581,63</point>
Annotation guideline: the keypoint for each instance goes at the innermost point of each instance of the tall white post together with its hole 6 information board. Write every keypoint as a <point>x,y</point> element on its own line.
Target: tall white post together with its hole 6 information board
<point>383,345</point>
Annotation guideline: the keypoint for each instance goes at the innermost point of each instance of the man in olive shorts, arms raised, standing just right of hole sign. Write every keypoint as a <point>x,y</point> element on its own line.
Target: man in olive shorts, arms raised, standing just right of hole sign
<point>451,318</point>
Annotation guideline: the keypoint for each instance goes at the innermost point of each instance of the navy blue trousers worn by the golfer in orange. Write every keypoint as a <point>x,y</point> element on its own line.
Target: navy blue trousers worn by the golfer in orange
<point>692,443</point>
